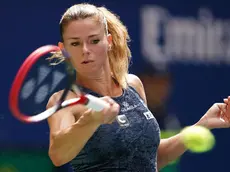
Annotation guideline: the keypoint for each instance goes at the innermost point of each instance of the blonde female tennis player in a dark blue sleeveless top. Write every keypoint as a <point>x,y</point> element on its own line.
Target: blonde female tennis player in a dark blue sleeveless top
<point>97,43</point>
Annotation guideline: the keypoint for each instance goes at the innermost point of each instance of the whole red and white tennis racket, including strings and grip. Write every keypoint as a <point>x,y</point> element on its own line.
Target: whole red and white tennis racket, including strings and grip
<point>37,80</point>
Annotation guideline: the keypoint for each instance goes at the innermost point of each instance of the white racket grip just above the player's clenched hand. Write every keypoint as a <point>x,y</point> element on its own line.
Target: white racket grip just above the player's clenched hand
<point>95,103</point>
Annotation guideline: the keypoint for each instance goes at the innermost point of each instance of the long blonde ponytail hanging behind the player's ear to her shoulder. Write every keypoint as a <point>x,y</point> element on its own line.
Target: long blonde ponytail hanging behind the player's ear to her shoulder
<point>120,54</point>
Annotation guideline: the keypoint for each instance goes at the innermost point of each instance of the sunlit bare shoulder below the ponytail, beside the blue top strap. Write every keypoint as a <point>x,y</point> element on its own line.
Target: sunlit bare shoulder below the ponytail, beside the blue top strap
<point>136,83</point>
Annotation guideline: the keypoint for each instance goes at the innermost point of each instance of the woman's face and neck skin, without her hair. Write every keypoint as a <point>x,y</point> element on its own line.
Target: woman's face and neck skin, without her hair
<point>91,44</point>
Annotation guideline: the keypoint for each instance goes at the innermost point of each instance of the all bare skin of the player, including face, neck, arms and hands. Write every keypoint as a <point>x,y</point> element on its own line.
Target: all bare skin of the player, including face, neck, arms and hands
<point>86,40</point>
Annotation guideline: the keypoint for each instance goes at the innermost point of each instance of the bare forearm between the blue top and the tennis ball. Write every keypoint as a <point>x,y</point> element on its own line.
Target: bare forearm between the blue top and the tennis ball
<point>169,150</point>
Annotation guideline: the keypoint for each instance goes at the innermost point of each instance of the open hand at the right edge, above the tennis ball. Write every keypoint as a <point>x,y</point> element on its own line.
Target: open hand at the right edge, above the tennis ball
<point>218,116</point>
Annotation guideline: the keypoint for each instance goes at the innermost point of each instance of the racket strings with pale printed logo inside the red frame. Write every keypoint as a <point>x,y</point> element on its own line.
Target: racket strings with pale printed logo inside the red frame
<point>41,82</point>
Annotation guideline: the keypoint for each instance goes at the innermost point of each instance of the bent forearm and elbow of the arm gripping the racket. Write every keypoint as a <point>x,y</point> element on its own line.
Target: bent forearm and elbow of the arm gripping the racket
<point>66,144</point>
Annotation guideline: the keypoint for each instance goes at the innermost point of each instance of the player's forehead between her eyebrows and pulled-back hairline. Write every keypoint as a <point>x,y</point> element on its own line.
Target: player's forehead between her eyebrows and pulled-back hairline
<point>83,27</point>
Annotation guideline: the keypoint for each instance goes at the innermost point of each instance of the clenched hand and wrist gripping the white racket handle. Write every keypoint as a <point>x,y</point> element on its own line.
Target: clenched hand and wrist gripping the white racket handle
<point>106,116</point>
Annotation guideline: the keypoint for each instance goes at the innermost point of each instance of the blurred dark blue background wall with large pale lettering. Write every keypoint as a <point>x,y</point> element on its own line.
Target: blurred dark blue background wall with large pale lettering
<point>180,50</point>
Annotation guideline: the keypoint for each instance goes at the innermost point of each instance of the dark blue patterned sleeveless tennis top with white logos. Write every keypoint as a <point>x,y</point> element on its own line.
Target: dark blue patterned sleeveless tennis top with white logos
<point>130,147</point>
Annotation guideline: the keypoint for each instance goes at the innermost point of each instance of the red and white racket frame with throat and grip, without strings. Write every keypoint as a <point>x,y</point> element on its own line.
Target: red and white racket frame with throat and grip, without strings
<point>85,99</point>
